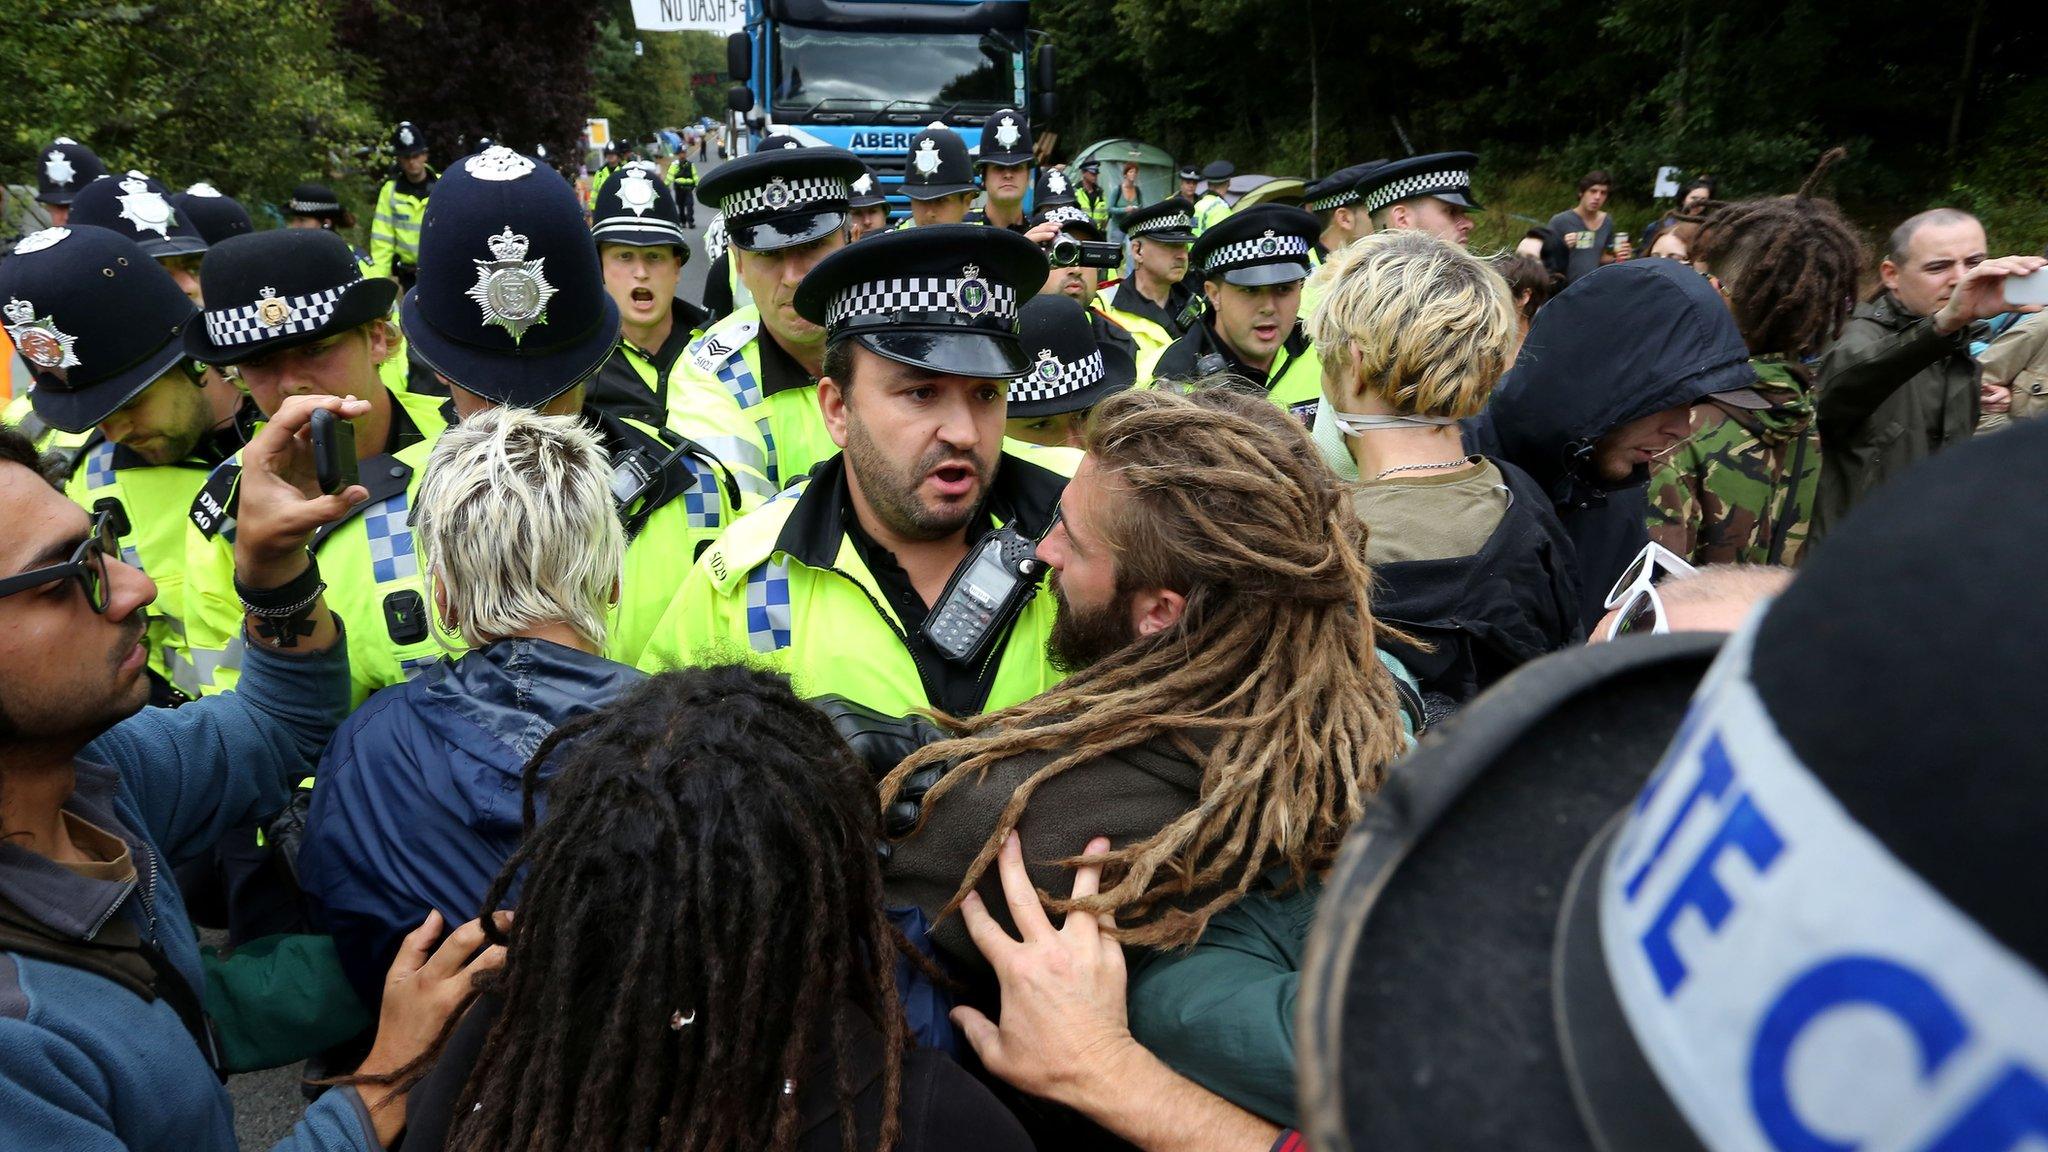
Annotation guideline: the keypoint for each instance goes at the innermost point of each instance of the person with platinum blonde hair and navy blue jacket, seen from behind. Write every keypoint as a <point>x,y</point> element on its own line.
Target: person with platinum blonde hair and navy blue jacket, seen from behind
<point>419,798</point>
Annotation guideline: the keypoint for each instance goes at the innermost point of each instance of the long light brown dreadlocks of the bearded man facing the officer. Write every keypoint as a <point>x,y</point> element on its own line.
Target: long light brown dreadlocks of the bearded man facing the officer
<point>1269,682</point>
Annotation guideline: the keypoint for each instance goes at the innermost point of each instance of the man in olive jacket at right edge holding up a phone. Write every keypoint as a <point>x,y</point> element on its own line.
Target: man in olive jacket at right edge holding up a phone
<point>1900,384</point>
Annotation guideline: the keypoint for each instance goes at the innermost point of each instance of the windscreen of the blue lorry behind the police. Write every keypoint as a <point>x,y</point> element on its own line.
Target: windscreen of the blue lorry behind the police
<point>904,73</point>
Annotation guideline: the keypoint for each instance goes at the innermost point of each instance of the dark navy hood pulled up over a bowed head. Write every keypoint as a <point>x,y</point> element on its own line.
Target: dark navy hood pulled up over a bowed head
<point>1617,345</point>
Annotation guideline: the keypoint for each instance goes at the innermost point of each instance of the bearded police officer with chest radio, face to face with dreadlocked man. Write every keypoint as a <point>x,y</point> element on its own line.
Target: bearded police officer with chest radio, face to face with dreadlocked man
<point>839,581</point>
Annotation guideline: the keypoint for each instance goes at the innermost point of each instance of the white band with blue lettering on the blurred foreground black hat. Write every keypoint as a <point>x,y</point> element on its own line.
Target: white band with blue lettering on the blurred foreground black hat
<point>1791,983</point>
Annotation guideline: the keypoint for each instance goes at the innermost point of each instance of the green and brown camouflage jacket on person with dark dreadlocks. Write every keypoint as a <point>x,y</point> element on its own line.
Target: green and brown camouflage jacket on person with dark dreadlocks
<point>1742,489</point>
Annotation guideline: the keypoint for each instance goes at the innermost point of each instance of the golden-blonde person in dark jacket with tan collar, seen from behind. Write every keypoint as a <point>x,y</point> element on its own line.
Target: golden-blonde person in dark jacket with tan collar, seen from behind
<point>1467,554</point>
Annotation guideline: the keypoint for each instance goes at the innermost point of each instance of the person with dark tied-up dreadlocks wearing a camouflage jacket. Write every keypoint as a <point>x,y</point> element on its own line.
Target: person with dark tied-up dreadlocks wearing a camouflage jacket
<point>1742,487</point>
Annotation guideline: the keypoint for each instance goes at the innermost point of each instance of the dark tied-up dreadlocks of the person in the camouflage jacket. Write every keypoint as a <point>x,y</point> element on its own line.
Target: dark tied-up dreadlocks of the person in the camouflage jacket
<point>1787,263</point>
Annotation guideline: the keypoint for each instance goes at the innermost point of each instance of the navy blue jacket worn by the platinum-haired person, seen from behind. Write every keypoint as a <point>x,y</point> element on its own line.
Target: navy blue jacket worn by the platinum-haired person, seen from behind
<point>419,798</point>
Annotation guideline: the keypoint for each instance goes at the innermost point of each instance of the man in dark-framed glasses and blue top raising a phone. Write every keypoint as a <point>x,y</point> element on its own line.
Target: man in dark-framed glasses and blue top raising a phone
<point>103,1028</point>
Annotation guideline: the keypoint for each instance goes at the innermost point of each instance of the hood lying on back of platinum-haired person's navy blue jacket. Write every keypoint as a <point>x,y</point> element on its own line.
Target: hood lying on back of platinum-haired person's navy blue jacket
<point>501,702</point>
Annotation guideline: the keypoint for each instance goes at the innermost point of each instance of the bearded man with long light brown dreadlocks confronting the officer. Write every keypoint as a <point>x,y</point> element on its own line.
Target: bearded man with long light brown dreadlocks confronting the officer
<point>1224,723</point>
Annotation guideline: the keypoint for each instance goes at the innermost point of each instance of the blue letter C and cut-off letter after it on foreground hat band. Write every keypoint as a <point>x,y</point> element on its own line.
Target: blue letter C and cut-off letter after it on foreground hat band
<point>2012,1110</point>
